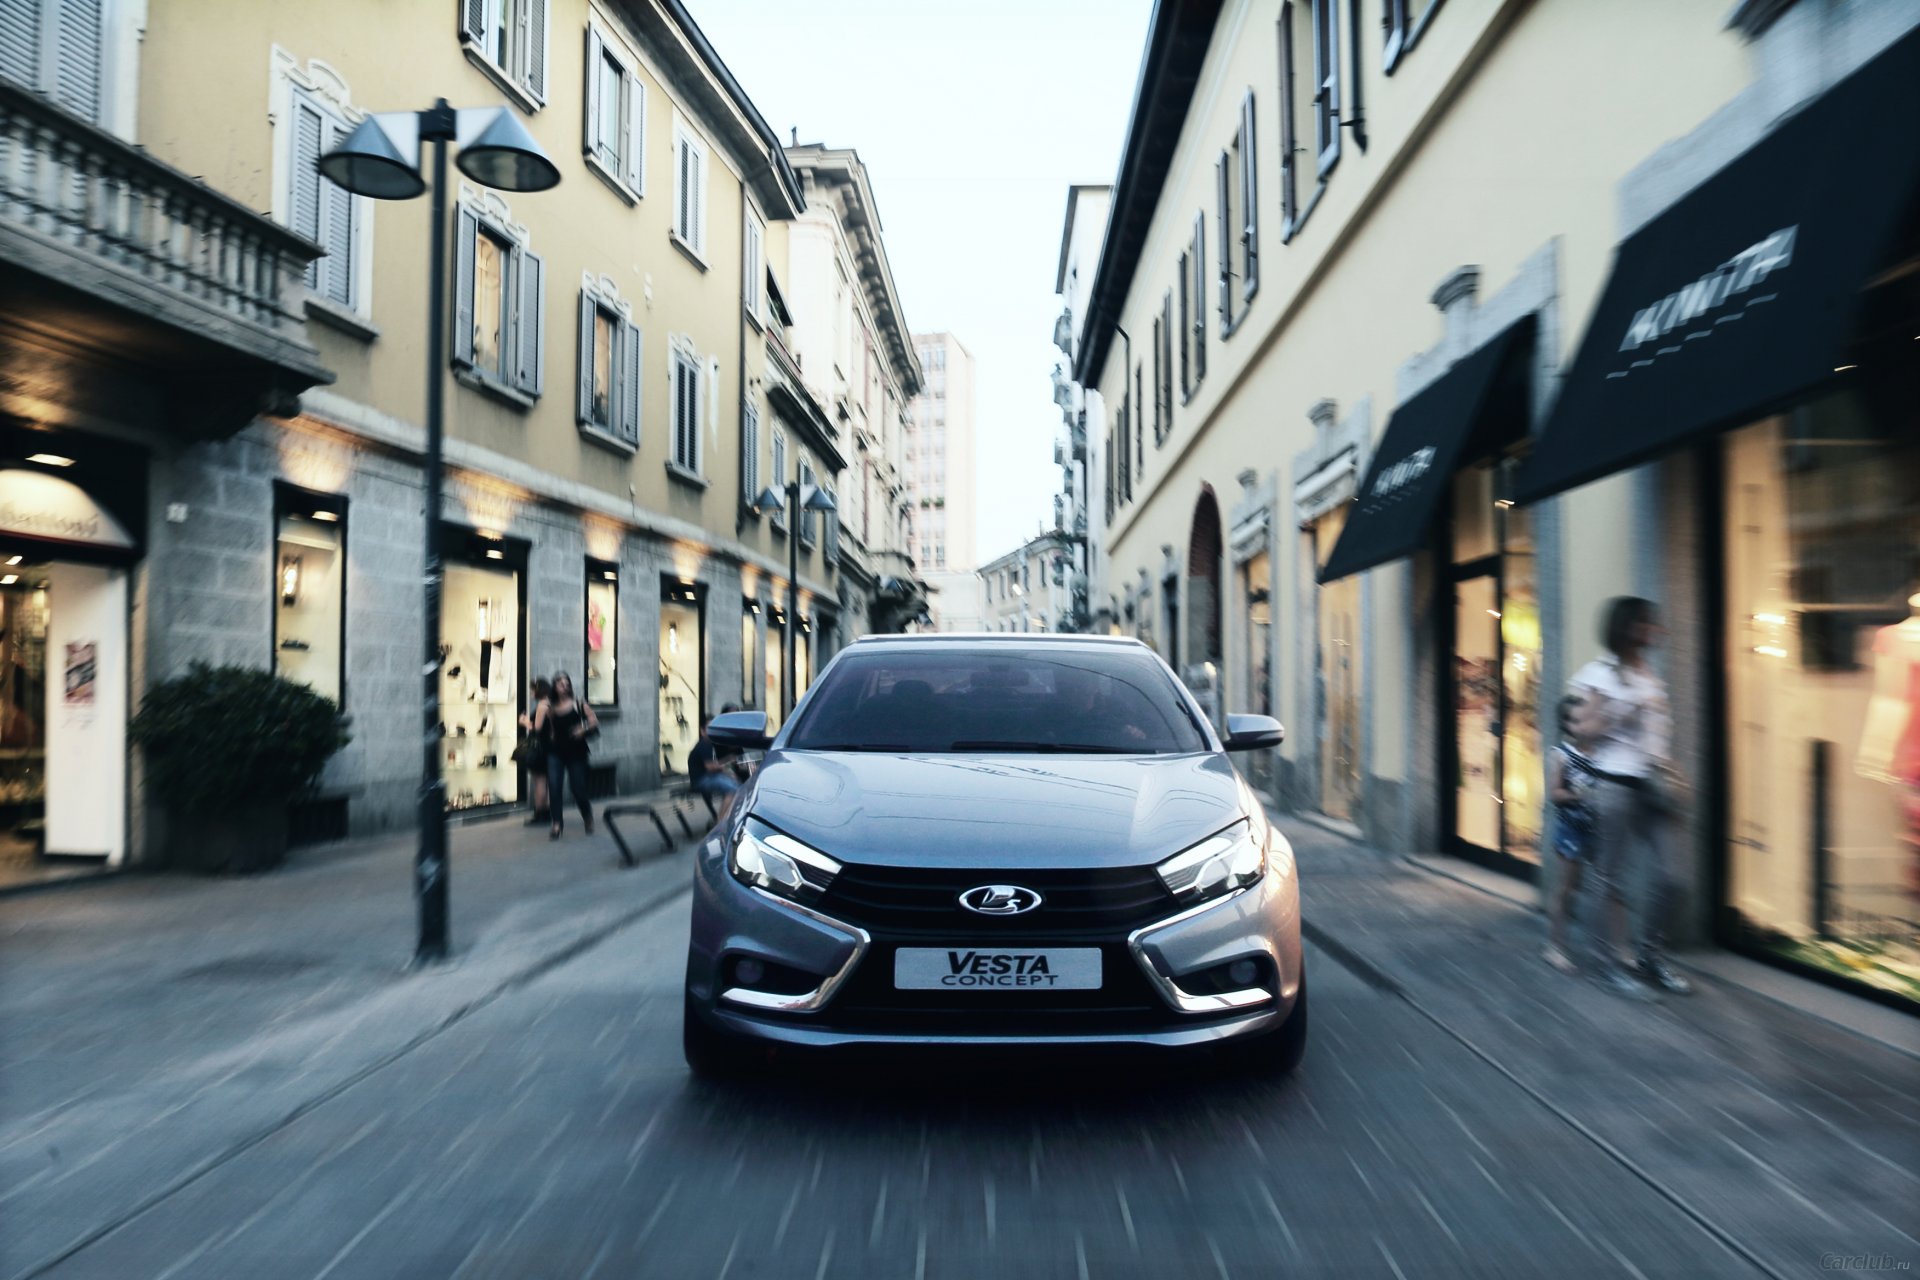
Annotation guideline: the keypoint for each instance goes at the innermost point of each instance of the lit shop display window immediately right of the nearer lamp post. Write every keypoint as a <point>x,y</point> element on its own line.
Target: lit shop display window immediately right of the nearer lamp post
<point>481,678</point>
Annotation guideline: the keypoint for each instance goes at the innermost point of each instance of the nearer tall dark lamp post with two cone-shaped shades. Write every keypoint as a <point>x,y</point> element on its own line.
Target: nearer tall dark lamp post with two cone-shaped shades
<point>381,160</point>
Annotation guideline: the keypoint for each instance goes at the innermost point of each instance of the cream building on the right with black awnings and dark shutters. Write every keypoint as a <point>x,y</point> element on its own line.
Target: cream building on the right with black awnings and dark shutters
<point>1362,264</point>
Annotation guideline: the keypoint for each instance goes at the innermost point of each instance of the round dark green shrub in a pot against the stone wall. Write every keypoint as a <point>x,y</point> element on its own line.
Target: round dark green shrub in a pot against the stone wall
<point>228,749</point>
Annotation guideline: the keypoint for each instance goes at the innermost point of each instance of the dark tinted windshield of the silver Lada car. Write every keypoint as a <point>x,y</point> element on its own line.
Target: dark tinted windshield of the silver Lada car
<point>997,699</point>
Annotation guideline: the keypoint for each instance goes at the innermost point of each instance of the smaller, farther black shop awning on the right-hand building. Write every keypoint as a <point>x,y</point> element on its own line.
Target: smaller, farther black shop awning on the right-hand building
<point>1412,471</point>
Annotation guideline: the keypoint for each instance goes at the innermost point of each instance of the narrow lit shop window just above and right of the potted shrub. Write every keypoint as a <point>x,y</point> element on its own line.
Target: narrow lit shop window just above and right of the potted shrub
<point>310,588</point>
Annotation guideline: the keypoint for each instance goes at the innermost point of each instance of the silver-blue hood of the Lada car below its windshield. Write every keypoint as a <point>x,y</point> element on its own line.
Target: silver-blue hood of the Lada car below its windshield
<point>997,811</point>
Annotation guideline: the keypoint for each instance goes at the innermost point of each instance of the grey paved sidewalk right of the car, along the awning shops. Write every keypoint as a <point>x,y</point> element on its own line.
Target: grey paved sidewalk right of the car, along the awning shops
<point>1771,1126</point>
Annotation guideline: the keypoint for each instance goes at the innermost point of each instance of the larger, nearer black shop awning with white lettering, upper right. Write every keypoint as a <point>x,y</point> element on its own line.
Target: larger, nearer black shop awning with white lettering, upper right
<point>1740,300</point>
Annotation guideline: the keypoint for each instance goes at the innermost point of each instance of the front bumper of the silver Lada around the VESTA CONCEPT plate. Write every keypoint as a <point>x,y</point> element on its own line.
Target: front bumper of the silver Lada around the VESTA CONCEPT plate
<point>734,922</point>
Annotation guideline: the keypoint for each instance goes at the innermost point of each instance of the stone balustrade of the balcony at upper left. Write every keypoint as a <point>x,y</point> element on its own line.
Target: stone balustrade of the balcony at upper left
<point>97,214</point>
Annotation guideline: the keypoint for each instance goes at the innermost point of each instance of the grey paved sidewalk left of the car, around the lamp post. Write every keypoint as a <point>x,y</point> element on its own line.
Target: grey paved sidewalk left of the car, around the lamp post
<point>151,1024</point>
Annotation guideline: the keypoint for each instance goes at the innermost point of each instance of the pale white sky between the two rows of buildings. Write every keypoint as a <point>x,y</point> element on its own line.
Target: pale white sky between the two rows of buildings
<point>972,118</point>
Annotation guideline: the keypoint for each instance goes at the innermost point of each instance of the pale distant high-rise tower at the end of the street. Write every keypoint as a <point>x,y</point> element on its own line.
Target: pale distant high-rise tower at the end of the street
<point>940,460</point>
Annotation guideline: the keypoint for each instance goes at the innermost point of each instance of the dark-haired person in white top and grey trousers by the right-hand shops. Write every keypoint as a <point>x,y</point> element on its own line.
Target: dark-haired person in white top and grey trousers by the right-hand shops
<point>1637,799</point>
